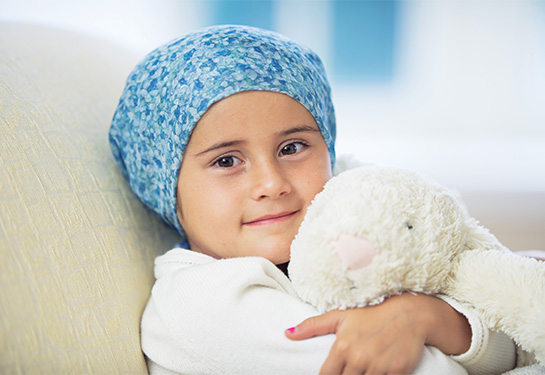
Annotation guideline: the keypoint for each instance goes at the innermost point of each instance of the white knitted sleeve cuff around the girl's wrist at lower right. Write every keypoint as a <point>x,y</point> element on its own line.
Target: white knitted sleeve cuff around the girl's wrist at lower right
<point>490,352</point>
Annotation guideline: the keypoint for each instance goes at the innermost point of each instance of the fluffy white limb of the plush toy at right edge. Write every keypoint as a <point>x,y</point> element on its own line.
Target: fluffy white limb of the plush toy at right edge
<point>508,292</point>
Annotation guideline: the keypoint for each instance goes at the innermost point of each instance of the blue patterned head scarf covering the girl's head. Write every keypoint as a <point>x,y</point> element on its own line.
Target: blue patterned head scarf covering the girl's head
<point>168,92</point>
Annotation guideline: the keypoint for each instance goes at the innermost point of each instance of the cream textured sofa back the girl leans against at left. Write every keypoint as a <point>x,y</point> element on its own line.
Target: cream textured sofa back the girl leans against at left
<point>76,246</point>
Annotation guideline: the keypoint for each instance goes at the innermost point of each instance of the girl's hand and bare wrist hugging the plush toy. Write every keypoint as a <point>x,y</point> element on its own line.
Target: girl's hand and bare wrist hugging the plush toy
<point>388,338</point>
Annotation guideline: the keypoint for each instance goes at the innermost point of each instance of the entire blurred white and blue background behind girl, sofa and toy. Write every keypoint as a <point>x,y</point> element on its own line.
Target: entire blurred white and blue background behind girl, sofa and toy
<point>452,88</point>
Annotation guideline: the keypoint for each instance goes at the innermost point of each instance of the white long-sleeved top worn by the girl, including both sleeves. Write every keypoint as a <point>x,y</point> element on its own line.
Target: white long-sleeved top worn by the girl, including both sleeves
<point>208,316</point>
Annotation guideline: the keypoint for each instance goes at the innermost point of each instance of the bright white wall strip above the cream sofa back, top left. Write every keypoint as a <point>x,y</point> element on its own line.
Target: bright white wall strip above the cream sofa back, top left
<point>138,24</point>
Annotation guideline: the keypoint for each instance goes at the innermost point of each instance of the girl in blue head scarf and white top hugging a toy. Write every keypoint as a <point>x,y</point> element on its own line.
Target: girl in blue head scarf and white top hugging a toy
<point>228,134</point>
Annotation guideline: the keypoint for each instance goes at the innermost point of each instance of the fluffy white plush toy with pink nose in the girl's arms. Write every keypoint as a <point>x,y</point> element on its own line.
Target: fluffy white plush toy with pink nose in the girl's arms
<point>374,232</point>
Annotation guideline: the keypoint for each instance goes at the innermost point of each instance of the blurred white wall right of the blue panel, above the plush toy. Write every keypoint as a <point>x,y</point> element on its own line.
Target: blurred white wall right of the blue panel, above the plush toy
<point>467,106</point>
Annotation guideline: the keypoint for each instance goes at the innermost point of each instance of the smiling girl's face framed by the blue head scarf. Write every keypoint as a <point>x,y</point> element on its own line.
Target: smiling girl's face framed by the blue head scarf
<point>252,166</point>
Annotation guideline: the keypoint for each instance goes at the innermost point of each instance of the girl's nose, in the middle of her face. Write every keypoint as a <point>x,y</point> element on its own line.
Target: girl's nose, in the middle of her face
<point>269,180</point>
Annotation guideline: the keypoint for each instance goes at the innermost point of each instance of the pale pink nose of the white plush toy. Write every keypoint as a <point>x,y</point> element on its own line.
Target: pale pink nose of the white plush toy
<point>354,252</point>
